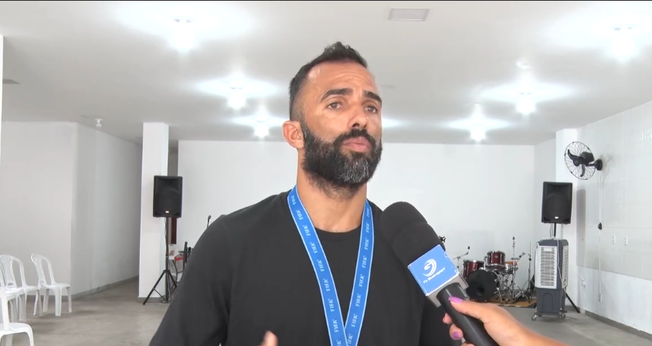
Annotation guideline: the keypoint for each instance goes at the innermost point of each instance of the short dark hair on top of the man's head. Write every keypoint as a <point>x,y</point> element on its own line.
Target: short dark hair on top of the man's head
<point>336,52</point>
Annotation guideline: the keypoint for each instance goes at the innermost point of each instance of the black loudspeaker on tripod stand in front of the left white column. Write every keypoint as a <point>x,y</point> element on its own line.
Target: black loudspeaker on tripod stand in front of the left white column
<point>167,196</point>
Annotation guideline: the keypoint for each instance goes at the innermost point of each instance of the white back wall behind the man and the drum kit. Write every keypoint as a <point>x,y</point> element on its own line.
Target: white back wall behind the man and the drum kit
<point>478,196</point>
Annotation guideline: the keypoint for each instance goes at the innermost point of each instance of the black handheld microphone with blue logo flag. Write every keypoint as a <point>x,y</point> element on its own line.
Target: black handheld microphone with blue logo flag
<point>418,247</point>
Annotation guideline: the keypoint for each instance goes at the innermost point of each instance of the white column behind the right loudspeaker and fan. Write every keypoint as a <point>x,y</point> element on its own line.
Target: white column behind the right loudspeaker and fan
<point>568,232</point>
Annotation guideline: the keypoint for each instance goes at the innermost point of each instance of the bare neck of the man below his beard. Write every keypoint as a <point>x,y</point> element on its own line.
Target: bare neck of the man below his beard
<point>329,210</point>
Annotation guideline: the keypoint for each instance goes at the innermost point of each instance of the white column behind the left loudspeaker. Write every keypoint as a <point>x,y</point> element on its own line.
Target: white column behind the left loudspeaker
<point>152,230</point>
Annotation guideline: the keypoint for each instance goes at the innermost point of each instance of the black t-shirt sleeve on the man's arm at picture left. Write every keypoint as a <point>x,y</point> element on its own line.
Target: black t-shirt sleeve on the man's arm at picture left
<point>199,310</point>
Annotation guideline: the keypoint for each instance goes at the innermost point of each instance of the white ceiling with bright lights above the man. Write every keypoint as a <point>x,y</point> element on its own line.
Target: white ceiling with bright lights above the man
<point>76,61</point>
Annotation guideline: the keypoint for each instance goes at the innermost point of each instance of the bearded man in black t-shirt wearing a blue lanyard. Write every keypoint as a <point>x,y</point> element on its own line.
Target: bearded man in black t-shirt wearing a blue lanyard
<point>309,267</point>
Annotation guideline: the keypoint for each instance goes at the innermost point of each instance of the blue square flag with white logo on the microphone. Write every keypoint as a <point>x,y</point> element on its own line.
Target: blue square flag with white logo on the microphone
<point>433,270</point>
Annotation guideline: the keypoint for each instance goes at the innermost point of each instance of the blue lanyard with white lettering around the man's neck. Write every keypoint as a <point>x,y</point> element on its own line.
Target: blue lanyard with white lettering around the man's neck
<point>340,334</point>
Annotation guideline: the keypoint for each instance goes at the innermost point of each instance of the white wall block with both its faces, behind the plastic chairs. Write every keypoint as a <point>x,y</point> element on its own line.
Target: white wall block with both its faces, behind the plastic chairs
<point>71,194</point>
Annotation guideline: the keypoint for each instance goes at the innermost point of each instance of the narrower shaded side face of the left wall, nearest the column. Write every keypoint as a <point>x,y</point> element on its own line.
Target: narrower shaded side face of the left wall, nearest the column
<point>106,237</point>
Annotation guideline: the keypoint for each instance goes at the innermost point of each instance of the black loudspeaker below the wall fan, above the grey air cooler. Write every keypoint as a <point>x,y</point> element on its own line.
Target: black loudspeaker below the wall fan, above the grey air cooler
<point>557,202</point>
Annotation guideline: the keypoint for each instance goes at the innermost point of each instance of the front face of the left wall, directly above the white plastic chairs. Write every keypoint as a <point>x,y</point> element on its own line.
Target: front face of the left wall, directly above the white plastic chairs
<point>36,194</point>
